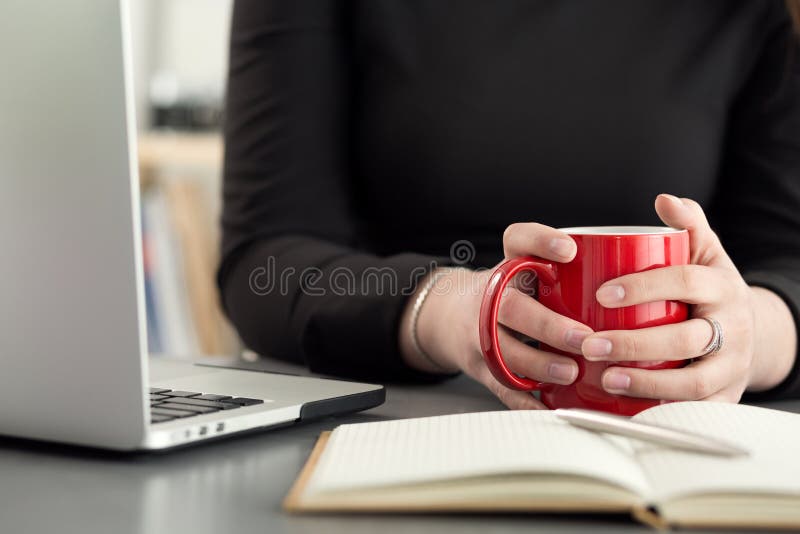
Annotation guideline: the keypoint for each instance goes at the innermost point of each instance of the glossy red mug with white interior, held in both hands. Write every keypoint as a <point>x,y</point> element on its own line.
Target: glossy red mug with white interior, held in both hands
<point>604,253</point>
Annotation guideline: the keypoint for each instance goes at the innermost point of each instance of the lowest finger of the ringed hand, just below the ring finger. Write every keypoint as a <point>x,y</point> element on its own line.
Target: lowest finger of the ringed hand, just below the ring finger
<point>696,381</point>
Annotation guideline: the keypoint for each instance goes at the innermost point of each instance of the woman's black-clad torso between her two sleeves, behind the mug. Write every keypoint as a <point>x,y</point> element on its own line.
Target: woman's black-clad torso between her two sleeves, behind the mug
<point>471,115</point>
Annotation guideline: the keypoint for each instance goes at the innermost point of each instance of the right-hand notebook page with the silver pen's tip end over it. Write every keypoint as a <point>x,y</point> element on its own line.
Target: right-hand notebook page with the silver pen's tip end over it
<point>773,437</point>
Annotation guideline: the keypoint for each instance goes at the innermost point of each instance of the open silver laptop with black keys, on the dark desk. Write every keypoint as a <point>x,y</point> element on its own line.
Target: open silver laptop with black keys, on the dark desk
<point>74,366</point>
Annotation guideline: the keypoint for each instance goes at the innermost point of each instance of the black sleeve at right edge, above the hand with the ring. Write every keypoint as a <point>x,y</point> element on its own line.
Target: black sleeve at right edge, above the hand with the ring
<point>756,210</point>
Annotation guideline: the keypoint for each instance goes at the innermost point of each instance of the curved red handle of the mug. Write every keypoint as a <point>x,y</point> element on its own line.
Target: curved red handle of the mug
<point>490,306</point>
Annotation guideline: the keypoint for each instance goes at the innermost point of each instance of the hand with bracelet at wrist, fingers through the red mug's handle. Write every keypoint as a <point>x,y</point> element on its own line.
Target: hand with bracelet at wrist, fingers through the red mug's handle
<point>447,327</point>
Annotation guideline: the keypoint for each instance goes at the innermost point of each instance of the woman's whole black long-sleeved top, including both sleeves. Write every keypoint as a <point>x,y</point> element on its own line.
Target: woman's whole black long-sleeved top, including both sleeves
<point>378,133</point>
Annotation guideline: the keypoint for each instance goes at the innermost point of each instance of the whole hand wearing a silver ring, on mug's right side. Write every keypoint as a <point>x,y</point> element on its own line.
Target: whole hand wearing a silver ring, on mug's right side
<point>714,288</point>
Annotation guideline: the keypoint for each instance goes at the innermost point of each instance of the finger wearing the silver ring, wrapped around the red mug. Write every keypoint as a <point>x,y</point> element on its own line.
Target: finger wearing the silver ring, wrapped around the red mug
<point>679,341</point>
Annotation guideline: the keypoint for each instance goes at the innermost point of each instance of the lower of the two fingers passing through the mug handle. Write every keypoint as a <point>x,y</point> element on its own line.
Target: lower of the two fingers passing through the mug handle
<point>536,364</point>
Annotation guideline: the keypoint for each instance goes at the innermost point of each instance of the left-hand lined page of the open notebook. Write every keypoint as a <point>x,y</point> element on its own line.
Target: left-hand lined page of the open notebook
<point>450,447</point>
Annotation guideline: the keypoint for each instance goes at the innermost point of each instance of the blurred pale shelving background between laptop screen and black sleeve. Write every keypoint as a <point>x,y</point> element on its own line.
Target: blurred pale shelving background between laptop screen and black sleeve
<point>180,62</point>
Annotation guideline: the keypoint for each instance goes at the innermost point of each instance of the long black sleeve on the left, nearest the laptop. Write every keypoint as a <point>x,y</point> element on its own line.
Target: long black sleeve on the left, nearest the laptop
<point>288,216</point>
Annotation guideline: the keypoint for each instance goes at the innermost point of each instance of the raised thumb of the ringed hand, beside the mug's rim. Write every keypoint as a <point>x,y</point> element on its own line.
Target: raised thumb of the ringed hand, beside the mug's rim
<point>705,246</point>
